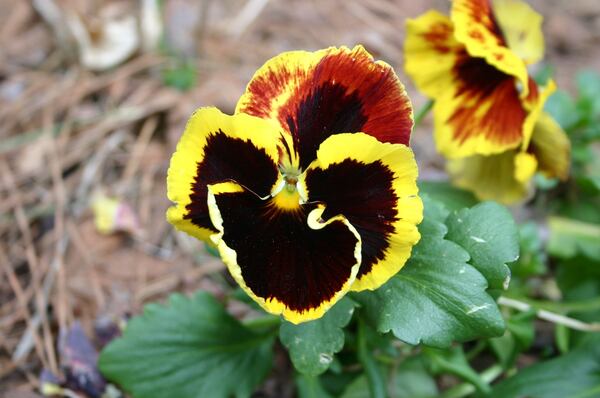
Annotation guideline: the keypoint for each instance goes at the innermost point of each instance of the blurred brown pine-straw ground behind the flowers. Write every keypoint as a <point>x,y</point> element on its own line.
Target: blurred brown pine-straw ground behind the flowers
<point>93,98</point>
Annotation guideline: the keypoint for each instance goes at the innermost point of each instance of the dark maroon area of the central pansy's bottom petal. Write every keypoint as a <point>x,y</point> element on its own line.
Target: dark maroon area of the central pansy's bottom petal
<point>280,256</point>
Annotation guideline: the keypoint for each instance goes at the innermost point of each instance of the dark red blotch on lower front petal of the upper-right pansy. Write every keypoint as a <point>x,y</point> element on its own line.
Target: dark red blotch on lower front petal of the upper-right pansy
<point>480,83</point>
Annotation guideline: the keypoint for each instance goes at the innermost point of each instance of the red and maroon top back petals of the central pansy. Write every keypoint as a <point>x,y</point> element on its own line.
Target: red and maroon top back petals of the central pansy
<point>345,92</point>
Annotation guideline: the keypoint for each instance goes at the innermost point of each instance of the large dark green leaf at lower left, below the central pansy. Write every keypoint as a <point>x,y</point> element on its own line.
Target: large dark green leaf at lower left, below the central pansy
<point>190,348</point>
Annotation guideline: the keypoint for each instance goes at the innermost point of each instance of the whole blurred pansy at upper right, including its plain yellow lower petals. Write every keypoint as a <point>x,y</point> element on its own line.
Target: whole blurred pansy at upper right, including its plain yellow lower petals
<point>488,110</point>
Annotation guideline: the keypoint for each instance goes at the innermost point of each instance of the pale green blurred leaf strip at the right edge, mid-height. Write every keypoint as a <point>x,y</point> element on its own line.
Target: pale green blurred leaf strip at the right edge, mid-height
<point>570,237</point>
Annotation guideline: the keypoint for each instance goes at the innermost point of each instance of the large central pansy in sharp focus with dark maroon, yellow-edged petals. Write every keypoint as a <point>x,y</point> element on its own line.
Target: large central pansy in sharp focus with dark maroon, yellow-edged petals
<point>309,189</point>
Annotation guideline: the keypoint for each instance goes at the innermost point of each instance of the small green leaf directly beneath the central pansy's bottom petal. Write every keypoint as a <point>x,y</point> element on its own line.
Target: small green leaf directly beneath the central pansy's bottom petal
<point>312,344</point>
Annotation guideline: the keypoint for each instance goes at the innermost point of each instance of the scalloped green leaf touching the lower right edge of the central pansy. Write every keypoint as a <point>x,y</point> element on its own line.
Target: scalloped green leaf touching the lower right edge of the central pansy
<point>437,298</point>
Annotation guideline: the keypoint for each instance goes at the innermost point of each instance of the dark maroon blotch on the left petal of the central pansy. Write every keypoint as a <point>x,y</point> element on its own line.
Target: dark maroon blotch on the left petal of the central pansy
<point>226,158</point>
